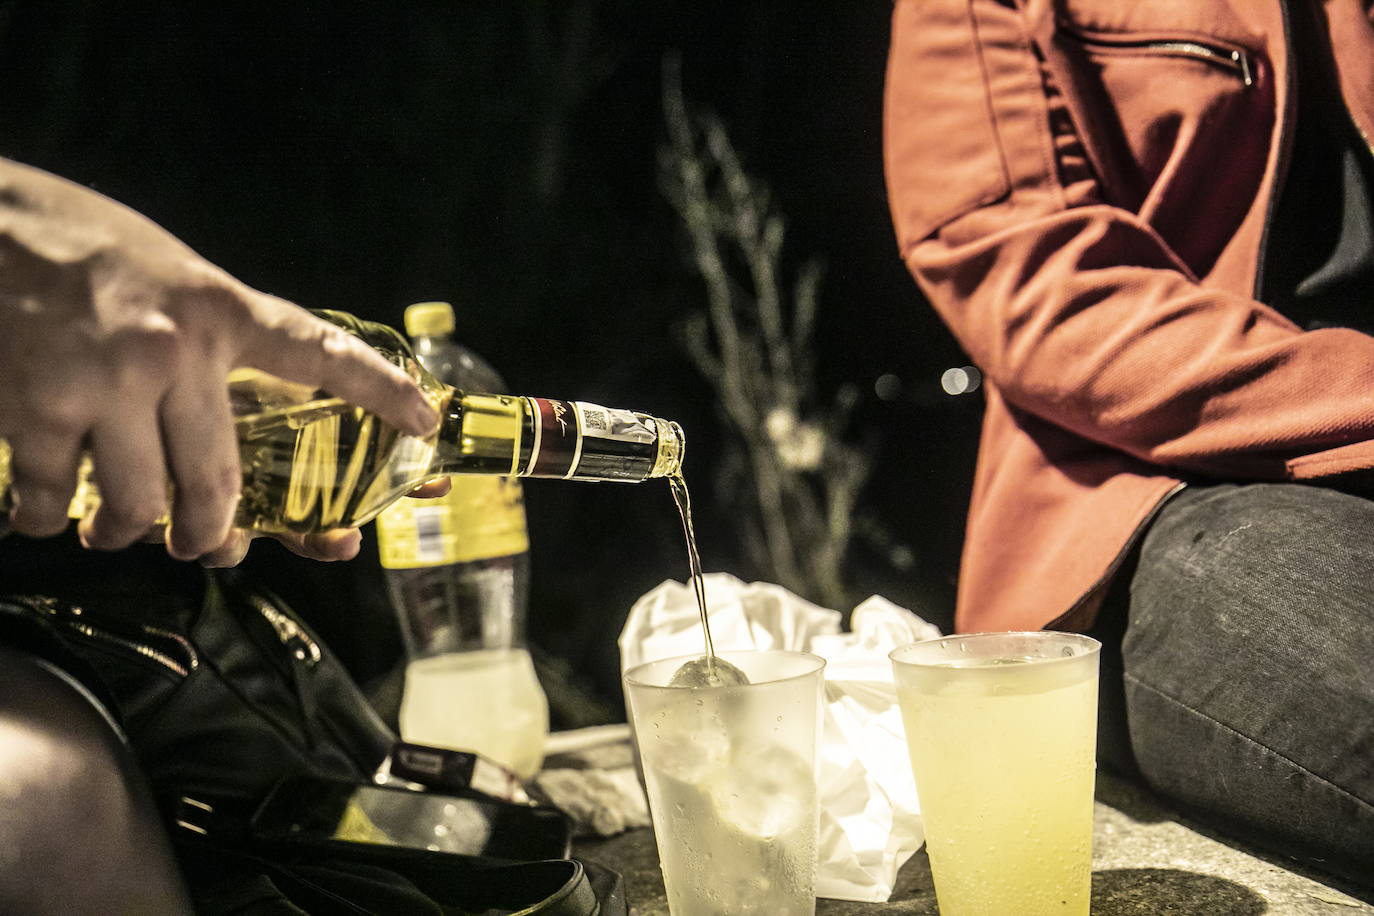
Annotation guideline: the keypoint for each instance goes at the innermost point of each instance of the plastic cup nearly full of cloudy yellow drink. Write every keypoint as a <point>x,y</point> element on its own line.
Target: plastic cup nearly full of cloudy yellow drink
<point>1002,731</point>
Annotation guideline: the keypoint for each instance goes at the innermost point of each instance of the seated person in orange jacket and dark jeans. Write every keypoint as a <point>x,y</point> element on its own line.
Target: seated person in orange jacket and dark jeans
<point>1151,227</point>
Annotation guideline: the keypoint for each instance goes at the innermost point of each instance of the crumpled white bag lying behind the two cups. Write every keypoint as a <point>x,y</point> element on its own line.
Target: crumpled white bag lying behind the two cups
<point>870,822</point>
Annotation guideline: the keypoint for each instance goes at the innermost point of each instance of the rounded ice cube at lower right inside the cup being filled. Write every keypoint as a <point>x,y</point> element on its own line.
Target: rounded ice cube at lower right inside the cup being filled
<point>766,792</point>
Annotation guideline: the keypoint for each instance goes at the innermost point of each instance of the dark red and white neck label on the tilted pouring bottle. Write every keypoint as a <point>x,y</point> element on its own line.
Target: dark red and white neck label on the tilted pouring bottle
<point>567,432</point>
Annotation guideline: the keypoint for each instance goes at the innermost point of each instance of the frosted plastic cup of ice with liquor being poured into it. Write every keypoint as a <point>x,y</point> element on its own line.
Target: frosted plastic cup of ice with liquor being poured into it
<point>732,782</point>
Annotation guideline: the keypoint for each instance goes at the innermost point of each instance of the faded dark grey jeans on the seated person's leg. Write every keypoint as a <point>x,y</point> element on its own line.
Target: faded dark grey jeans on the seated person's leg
<point>1239,668</point>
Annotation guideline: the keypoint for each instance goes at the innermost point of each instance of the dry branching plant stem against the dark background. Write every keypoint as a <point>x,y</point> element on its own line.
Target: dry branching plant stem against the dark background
<point>755,345</point>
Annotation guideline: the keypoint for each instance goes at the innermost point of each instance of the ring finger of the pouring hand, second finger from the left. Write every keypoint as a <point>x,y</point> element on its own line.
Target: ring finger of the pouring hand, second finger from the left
<point>130,472</point>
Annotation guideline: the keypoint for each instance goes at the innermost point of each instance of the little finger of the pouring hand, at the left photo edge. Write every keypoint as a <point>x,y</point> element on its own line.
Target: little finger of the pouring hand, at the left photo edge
<point>43,469</point>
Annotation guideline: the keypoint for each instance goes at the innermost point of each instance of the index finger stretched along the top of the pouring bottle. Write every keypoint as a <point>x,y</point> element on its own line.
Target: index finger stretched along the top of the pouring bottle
<point>291,343</point>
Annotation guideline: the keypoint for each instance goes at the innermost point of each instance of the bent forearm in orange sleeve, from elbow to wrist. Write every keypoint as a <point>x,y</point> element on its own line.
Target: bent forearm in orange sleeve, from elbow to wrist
<point>1085,319</point>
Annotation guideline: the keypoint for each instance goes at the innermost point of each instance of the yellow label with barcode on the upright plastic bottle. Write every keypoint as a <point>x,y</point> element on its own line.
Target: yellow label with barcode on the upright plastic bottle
<point>480,518</point>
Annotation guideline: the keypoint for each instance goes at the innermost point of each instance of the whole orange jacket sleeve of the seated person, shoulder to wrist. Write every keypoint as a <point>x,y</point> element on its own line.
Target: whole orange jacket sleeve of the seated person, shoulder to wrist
<point>1078,311</point>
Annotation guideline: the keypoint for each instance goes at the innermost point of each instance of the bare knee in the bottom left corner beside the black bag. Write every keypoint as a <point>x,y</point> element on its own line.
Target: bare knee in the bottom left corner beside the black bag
<point>80,830</point>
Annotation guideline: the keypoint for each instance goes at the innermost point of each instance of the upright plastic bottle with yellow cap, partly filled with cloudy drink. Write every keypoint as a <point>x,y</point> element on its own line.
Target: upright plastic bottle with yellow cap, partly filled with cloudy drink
<point>458,573</point>
